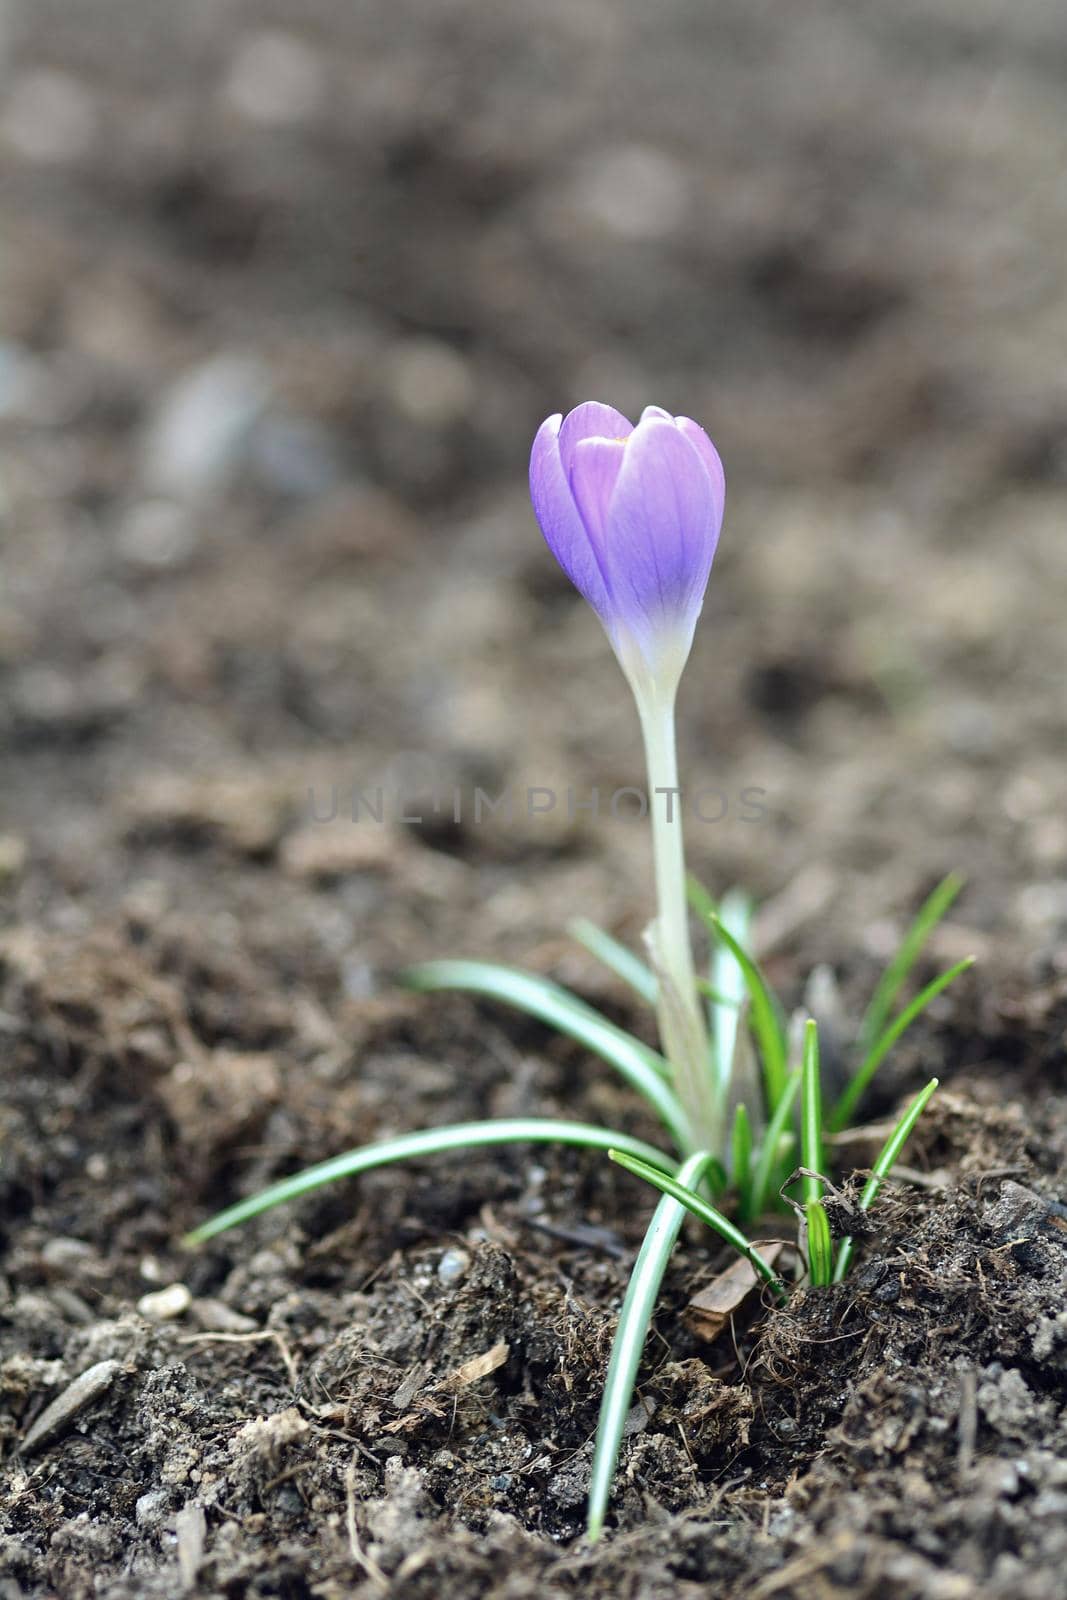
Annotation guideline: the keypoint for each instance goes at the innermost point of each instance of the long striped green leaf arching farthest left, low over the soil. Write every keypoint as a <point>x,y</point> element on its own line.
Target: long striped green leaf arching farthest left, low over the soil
<point>428,1142</point>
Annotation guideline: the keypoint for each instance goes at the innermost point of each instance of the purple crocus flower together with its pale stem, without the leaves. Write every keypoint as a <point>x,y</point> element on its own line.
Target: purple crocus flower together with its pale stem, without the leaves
<point>633,516</point>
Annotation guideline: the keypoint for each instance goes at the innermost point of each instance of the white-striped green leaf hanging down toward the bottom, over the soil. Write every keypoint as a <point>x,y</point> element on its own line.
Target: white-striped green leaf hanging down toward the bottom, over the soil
<point>631,1334</point>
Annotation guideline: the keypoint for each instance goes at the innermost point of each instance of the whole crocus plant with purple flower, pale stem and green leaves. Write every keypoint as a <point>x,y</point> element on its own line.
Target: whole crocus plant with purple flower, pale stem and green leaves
<point>633,514</point>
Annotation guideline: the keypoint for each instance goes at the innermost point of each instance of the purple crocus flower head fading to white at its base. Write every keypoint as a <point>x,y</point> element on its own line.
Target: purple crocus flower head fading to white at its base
<point>633,516</point>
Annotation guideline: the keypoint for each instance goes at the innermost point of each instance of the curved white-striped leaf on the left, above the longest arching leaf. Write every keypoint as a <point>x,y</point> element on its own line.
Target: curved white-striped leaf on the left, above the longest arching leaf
<point>642,1068</point>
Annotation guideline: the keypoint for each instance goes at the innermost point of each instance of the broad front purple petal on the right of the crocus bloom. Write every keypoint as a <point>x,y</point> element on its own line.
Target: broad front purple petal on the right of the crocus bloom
<point>661,532</point>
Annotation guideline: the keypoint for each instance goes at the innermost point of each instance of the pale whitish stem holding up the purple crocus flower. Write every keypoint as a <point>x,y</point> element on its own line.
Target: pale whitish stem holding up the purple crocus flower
<point>682,1028</point>
